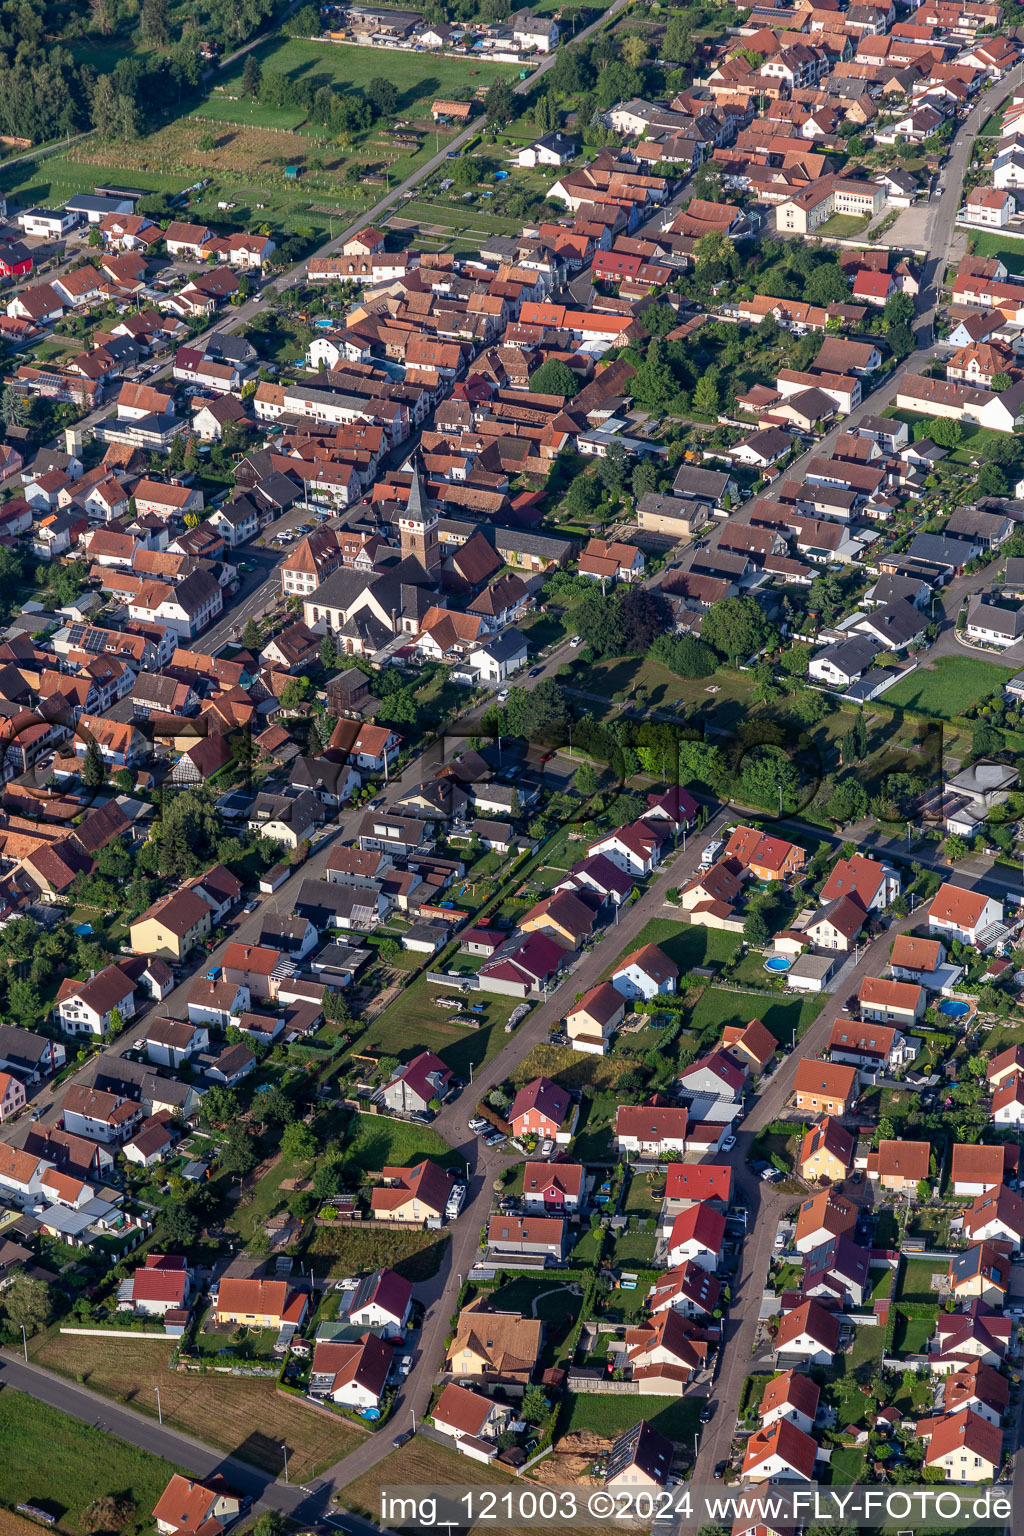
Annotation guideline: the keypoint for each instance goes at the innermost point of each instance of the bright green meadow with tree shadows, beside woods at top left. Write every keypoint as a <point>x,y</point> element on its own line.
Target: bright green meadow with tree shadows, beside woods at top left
<point>420,79</point>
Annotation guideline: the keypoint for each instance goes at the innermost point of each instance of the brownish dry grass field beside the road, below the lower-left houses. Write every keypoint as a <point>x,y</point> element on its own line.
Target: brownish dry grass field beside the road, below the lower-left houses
<point>226,1412</point>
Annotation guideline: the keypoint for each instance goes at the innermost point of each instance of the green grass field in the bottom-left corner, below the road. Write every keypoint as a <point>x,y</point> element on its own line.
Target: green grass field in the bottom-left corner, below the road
<point>62,1466</point>
